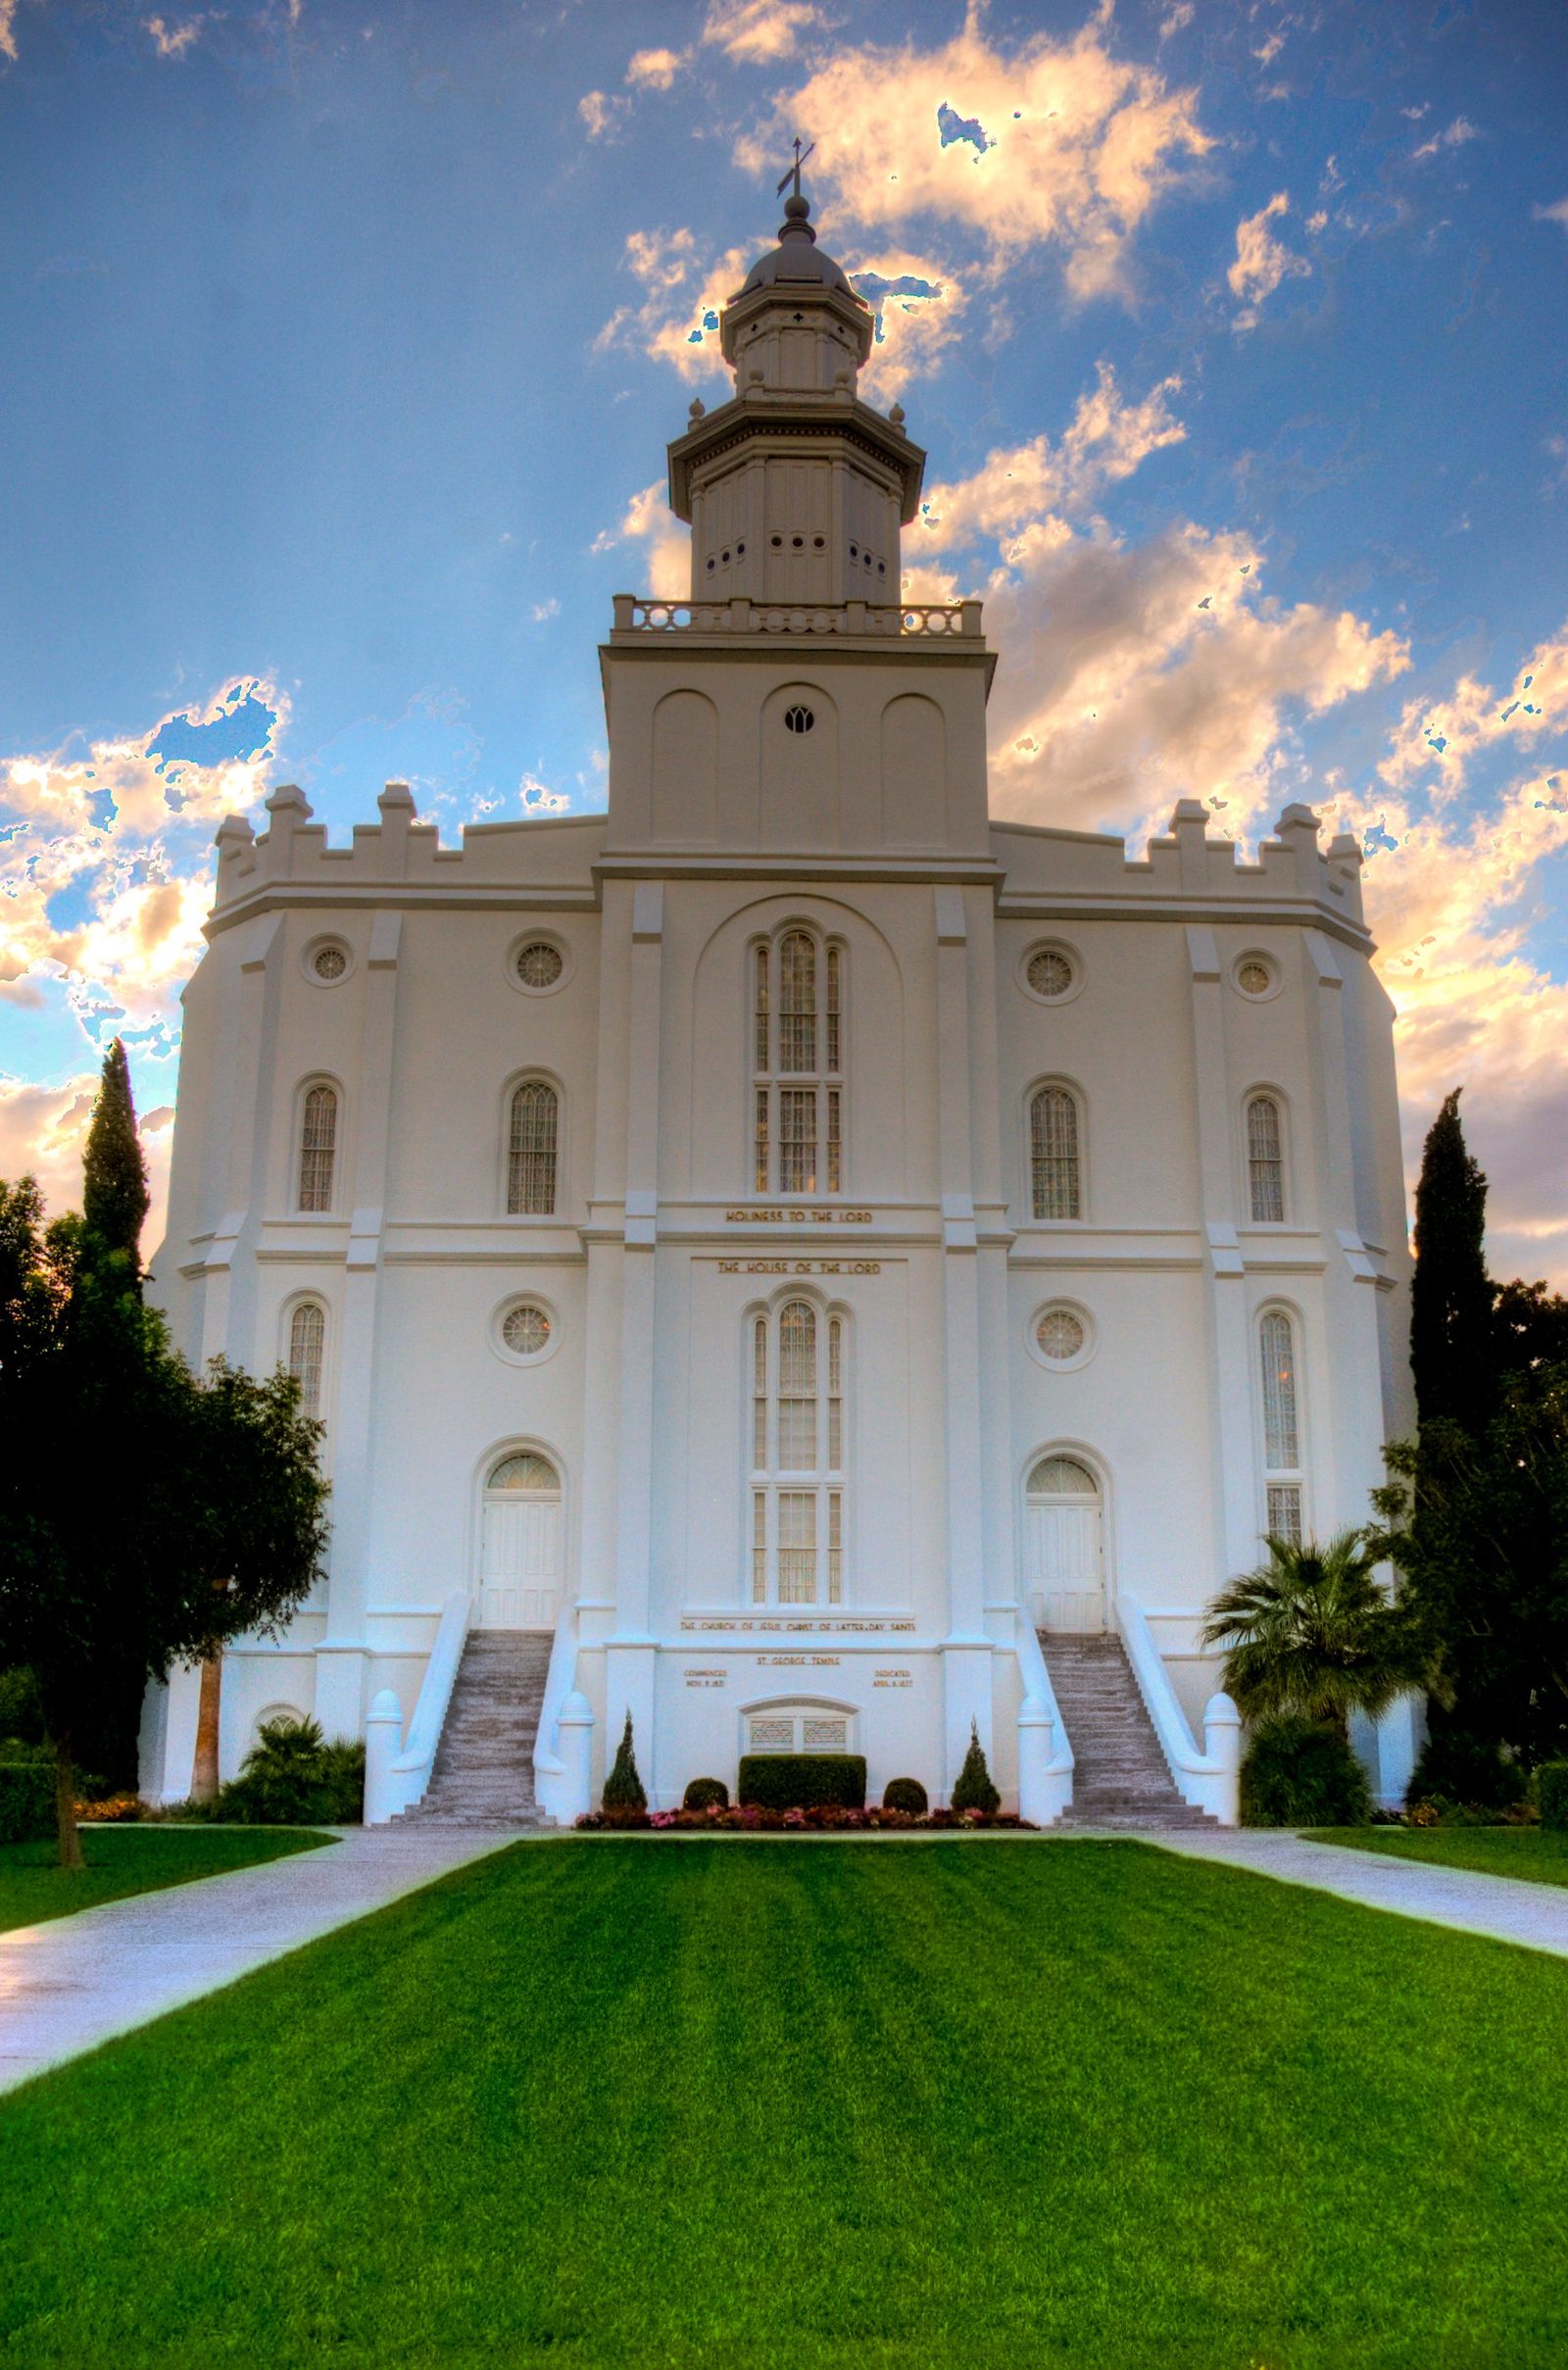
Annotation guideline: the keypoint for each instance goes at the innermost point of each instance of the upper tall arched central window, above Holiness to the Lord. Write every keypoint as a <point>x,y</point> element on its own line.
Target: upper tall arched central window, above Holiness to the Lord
<point>797,1065</point>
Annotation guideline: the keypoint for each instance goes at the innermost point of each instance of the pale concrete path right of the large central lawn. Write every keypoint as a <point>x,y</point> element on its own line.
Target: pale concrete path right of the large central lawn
<point>1508,1909</point>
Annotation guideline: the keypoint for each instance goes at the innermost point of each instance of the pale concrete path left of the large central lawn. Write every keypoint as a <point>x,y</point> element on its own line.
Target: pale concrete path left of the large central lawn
<point>72,1983</point>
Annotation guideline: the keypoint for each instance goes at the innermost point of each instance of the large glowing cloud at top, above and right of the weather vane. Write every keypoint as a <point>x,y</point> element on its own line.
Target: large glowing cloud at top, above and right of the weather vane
<point>1050,143</point>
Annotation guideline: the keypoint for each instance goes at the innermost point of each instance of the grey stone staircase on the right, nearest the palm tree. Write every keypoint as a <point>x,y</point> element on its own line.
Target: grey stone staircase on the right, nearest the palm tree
<point>1122,1776</point>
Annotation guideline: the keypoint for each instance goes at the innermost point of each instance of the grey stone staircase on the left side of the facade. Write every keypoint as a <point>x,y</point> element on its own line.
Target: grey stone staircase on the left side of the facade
<point>484,1762</point>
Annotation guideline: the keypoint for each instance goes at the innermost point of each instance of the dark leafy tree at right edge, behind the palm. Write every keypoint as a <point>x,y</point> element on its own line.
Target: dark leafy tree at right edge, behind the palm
<point>1479,1530</point>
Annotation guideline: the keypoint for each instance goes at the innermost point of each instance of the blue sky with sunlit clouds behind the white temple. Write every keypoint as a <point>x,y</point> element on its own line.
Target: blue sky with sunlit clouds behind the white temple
<point>342,347</point>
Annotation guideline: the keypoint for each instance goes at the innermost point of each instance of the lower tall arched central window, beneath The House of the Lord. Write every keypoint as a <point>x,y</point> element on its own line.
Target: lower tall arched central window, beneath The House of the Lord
<point>797,1459</point>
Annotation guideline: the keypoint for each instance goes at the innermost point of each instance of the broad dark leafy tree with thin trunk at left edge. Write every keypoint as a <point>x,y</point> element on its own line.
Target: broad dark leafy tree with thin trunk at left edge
<point>146,1516</point>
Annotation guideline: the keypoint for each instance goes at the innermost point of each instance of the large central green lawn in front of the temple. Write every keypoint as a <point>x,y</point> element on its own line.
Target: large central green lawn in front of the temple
<point>754,2106</point>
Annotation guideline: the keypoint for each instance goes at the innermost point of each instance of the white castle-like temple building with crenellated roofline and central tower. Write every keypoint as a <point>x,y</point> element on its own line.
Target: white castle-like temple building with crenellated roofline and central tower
<point>790,1257</point>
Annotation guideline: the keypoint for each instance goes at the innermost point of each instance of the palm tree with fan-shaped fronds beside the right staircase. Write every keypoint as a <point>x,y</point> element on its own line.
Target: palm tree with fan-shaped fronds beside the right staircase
<point>1313,1634</point>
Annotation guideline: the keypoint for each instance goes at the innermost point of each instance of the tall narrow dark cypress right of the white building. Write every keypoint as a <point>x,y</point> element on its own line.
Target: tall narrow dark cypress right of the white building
<point>1451,1312</point>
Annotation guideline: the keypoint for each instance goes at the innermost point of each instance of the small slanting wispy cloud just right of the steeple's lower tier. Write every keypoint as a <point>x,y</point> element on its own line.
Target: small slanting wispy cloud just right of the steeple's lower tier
<point>1020,485</point>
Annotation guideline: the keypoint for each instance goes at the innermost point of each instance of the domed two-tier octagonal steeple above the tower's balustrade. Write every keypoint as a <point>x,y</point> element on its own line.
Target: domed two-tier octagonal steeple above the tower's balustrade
<point>797,489</point>
